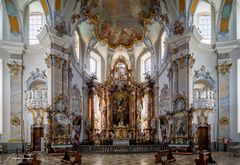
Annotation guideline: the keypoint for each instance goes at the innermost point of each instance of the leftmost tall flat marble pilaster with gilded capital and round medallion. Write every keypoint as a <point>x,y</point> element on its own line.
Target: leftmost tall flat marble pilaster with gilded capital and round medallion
<point>16,92</point>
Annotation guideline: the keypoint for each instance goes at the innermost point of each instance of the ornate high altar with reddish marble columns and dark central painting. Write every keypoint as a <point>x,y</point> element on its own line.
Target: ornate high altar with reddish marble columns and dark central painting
<point>116,109</point>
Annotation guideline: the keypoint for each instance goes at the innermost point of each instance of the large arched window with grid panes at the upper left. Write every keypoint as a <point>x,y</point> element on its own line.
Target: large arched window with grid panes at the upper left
<point>36,21</point>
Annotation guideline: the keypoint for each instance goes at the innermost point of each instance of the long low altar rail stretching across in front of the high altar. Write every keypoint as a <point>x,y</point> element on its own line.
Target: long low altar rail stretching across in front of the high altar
<point>119,149</point>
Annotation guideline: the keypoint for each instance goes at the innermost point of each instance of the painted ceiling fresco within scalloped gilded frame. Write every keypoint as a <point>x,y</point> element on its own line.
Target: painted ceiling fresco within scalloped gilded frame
<point>120,22</point>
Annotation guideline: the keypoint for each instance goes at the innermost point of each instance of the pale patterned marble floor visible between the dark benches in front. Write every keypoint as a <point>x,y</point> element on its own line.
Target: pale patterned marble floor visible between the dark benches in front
<point>222,158</point>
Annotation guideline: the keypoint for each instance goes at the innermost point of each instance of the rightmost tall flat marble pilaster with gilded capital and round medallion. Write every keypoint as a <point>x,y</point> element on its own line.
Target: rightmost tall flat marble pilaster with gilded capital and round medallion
<point>223,69</point>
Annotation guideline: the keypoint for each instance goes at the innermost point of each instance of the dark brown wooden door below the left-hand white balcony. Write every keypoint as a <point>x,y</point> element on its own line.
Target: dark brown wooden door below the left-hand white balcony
<point>37,133</point>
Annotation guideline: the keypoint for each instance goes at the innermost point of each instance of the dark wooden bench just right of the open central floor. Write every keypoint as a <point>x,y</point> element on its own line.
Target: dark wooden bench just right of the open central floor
<point>165,153</point>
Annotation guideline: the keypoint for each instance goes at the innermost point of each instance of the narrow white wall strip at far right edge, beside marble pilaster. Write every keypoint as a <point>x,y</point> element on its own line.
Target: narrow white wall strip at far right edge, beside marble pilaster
<point>235,55</point>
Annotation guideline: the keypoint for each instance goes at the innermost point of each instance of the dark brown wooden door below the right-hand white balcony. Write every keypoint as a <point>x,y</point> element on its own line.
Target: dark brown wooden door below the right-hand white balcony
<point>203,140</point>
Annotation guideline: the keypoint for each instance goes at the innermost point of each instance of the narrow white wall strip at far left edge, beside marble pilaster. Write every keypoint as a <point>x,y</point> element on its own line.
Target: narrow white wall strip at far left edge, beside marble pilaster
<point>6,97</point>
